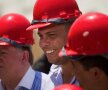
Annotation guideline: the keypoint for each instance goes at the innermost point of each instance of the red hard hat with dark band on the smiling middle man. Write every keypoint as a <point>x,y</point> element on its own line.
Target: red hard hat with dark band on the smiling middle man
<point>49,11</point>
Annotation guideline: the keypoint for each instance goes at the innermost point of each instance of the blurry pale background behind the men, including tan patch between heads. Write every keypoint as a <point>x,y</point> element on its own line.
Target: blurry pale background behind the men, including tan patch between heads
<point>25,7</point>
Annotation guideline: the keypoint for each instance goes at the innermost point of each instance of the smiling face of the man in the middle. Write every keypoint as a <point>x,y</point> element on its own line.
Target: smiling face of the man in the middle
<point>52,39</point>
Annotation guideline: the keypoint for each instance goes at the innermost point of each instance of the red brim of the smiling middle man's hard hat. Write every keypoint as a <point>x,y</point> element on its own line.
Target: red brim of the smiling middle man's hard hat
<point>37,26</point>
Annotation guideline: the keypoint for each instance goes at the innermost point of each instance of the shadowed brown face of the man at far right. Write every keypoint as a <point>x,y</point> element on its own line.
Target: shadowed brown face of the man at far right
<point>85,77</point>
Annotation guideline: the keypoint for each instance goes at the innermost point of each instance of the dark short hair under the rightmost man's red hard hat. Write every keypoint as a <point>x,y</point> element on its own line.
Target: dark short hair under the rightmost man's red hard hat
<point>95,61</point>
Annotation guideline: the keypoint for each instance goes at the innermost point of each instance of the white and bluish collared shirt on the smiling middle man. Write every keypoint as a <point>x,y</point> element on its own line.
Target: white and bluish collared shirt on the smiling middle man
<point>55,75</point>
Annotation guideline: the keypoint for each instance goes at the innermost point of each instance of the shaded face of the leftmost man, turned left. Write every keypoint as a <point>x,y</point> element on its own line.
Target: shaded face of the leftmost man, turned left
<point>10,61</point>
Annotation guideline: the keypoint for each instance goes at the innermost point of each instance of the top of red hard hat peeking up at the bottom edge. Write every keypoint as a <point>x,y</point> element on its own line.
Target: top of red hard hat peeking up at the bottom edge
<point>68,87</point>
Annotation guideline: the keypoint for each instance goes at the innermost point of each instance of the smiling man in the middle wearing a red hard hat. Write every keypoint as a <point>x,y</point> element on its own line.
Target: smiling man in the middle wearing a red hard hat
<point>53,21</point>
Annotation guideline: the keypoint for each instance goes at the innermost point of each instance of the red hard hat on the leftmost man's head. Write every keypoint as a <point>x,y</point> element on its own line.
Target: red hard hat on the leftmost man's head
<point>13,27</point>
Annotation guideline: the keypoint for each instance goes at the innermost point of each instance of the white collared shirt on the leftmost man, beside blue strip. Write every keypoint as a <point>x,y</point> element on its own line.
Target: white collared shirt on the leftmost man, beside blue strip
<point>28,79</point>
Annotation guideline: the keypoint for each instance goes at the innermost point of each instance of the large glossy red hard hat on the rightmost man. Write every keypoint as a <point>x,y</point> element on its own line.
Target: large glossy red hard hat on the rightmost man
<point>88,35</point>
